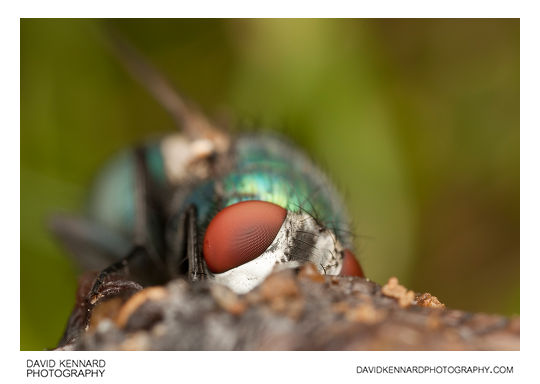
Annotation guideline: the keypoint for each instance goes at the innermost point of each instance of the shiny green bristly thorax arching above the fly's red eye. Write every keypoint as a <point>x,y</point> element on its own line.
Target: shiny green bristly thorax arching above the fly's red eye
<point>271,169</point>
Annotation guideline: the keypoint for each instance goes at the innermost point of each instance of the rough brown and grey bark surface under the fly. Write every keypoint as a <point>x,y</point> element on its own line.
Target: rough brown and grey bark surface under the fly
<point>291,310</point>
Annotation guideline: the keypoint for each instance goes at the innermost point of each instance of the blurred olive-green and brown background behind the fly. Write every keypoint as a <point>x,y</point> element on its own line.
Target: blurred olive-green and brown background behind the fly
<point>417,121</point>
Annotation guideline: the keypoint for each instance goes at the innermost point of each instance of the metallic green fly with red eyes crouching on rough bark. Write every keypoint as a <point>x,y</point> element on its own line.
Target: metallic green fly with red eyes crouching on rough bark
<point>201,204</point>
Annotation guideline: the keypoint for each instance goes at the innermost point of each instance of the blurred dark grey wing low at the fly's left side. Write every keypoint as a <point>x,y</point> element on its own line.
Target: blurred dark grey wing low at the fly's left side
<point>92,246</point>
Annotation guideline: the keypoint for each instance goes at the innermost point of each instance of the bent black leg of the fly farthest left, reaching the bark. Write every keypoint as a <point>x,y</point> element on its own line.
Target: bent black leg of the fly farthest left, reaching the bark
<point>142,250</point>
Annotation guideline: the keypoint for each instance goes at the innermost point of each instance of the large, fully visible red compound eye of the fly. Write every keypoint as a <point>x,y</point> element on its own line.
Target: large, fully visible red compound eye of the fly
<point>240,233</point>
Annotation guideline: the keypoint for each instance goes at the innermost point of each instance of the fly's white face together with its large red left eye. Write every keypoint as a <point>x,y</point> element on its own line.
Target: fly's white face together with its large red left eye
<point>247,240</point>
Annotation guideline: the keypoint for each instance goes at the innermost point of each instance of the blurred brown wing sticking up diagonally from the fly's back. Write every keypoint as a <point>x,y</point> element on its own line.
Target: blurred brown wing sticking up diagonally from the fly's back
<point>186,116</point>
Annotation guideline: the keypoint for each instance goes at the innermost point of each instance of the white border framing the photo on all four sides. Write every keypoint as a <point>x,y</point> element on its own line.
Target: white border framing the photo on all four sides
<point>266,366</point>
